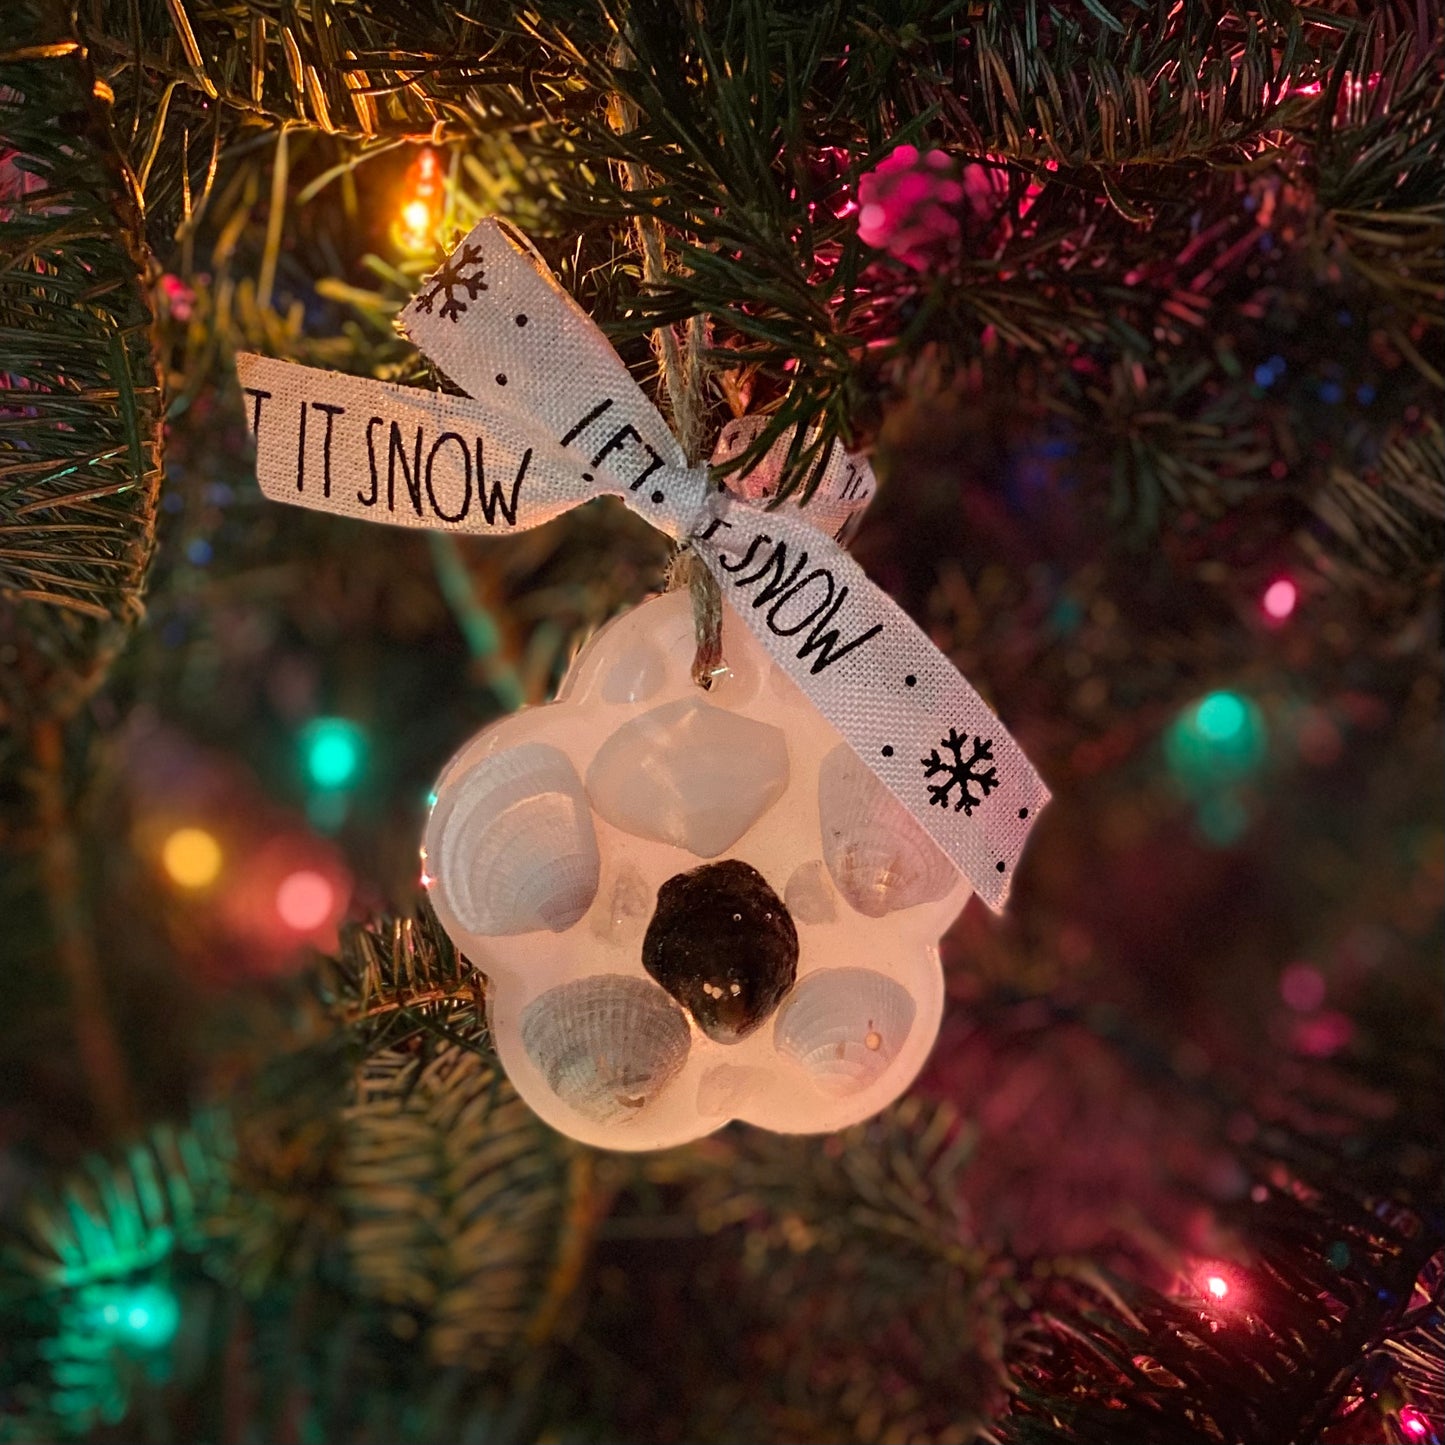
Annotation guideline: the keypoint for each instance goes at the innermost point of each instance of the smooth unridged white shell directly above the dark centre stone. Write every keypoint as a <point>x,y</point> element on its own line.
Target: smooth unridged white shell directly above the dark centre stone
<point>690,775</point>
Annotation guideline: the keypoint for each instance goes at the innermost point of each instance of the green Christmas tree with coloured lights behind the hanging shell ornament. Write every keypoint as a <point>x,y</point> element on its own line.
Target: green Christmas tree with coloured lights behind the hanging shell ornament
<point>1138,313</point>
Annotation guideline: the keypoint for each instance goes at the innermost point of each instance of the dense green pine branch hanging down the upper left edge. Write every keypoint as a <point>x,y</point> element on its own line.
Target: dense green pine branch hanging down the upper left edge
<point>80,459</point>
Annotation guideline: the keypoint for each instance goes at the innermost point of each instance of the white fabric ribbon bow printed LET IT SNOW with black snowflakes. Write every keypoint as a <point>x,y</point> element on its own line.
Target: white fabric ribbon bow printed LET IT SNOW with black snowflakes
<point>554,420</point>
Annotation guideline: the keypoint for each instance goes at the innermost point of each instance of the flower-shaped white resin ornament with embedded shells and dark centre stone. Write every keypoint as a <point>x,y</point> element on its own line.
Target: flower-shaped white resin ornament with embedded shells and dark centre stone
<point>691,907</point>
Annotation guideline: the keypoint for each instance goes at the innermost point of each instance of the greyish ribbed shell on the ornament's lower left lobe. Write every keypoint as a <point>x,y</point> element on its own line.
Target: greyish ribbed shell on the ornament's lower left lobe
<point>606,1045</point>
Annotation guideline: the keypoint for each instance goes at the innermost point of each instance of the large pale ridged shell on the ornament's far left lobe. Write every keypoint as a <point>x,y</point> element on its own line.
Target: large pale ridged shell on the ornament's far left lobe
<point>517,850</point>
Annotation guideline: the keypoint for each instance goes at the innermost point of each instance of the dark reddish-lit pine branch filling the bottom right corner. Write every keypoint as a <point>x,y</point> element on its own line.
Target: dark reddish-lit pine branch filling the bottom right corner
<point>1346,1241</point>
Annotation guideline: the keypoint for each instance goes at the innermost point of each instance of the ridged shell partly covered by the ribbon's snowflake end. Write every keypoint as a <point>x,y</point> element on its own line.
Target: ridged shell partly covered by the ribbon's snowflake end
<point>878,855</point>
